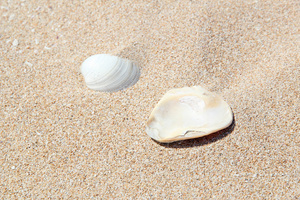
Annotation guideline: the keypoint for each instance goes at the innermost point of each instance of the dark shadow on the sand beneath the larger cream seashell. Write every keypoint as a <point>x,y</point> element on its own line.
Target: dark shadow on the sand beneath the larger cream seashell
<point>202,140</point>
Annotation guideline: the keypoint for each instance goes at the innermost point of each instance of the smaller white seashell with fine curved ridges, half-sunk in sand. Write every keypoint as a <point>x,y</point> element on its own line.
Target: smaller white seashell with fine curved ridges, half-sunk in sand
<point>109,73</point>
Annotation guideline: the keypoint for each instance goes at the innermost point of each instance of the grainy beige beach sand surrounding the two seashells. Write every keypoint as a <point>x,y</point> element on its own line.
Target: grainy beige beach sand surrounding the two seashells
<point>59,139</point>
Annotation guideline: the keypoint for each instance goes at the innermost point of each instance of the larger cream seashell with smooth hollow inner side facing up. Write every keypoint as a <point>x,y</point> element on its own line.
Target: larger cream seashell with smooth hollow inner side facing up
<point>187,113</point>
